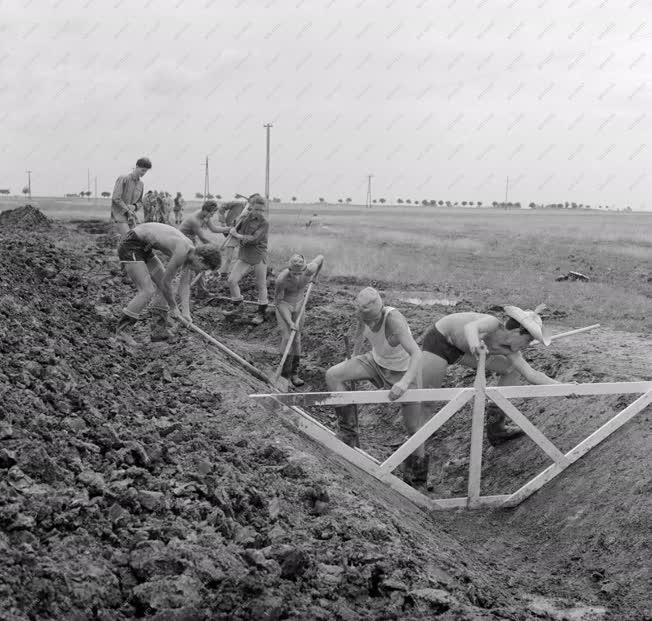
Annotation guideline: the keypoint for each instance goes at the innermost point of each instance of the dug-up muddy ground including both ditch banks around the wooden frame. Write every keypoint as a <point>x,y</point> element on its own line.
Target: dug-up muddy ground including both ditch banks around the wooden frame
<point>146,484</point>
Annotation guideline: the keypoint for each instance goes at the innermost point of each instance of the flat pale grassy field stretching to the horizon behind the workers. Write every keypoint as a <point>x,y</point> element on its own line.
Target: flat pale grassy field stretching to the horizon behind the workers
<point>484,256</point>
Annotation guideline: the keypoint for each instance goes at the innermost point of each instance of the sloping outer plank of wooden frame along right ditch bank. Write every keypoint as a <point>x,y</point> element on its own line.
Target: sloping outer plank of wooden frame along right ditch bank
<point>580,450</point>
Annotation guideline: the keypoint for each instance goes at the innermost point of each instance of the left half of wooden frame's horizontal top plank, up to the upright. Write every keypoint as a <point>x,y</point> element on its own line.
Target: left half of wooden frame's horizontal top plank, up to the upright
<point>415,395</point>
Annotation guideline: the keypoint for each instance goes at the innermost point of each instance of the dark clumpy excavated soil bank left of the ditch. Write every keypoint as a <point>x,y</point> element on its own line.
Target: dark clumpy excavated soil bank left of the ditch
<point>145,484</point>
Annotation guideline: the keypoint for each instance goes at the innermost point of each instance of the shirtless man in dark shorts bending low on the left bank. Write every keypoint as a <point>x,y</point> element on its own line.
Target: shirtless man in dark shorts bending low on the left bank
<point>153,280</point>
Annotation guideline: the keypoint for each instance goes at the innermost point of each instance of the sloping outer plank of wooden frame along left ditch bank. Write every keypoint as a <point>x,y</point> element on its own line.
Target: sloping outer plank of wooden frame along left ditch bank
<point>361,460</point>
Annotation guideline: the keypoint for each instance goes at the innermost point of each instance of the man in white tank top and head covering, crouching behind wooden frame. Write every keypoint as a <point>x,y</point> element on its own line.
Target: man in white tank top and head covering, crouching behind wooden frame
<point>393,363</point>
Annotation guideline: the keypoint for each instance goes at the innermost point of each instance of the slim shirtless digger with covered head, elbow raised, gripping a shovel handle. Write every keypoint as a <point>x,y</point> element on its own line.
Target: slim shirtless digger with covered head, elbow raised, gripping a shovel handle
<point>290,287</point>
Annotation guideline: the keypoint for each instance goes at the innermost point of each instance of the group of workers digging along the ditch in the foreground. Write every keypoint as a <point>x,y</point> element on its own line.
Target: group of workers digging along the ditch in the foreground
<point>395,361</point>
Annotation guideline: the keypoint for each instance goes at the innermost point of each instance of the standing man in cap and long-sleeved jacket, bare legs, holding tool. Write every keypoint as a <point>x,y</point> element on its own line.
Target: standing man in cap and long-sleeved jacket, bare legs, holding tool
<point>252,232</point>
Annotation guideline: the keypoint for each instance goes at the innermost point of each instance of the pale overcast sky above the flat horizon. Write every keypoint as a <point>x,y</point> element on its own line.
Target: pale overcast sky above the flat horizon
<point>437,99</point>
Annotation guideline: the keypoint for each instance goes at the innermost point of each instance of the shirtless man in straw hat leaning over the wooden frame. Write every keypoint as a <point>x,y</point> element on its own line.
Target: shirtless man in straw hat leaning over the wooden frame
<point>460,337</point>
